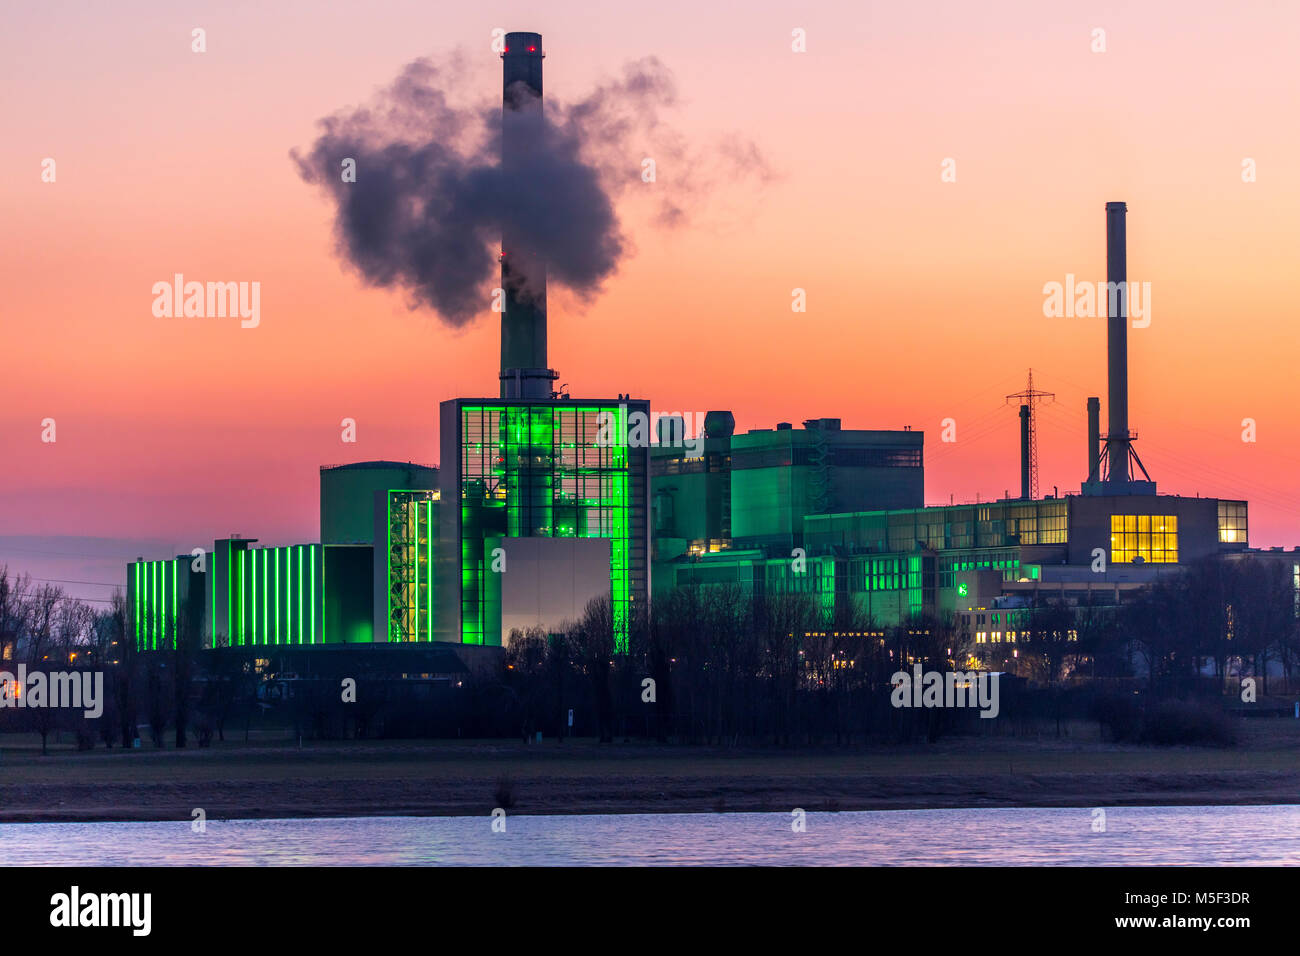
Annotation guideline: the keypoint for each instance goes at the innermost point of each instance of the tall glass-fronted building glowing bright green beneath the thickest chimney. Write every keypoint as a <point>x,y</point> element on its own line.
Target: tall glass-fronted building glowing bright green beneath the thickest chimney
<point>530,469</point>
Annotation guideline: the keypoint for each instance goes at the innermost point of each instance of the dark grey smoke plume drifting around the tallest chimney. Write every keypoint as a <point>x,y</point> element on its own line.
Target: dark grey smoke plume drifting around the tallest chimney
<point>432,198</point>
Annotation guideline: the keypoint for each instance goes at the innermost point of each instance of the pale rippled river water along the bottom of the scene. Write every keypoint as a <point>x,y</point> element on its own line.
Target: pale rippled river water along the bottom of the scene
<point>1126,837</point>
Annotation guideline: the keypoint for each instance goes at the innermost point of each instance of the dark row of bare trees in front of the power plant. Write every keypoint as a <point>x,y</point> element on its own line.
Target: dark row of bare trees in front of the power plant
<point>709,665</point>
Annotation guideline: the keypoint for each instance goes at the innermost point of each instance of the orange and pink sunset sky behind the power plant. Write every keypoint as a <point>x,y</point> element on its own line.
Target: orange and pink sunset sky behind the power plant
<point>925,299</point>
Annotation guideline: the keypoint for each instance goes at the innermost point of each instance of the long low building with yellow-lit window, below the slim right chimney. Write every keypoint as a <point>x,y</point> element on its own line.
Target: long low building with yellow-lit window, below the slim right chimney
<point>977,561</point>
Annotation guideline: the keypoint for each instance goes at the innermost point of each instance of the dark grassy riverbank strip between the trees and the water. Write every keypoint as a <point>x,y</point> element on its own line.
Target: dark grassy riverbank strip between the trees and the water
<point>271,778</point>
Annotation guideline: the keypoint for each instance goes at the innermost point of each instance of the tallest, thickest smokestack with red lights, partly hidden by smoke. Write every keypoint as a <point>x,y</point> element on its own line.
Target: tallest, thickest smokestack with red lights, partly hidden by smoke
<point>525,373</point>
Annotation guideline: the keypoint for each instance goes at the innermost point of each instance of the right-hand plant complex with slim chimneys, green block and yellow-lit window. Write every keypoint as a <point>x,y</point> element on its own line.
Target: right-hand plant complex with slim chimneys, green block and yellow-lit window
<point>865,542</point>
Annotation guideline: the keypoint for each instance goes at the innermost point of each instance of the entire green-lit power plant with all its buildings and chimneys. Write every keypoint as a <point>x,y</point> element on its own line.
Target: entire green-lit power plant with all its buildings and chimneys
<point>541,503</point>
